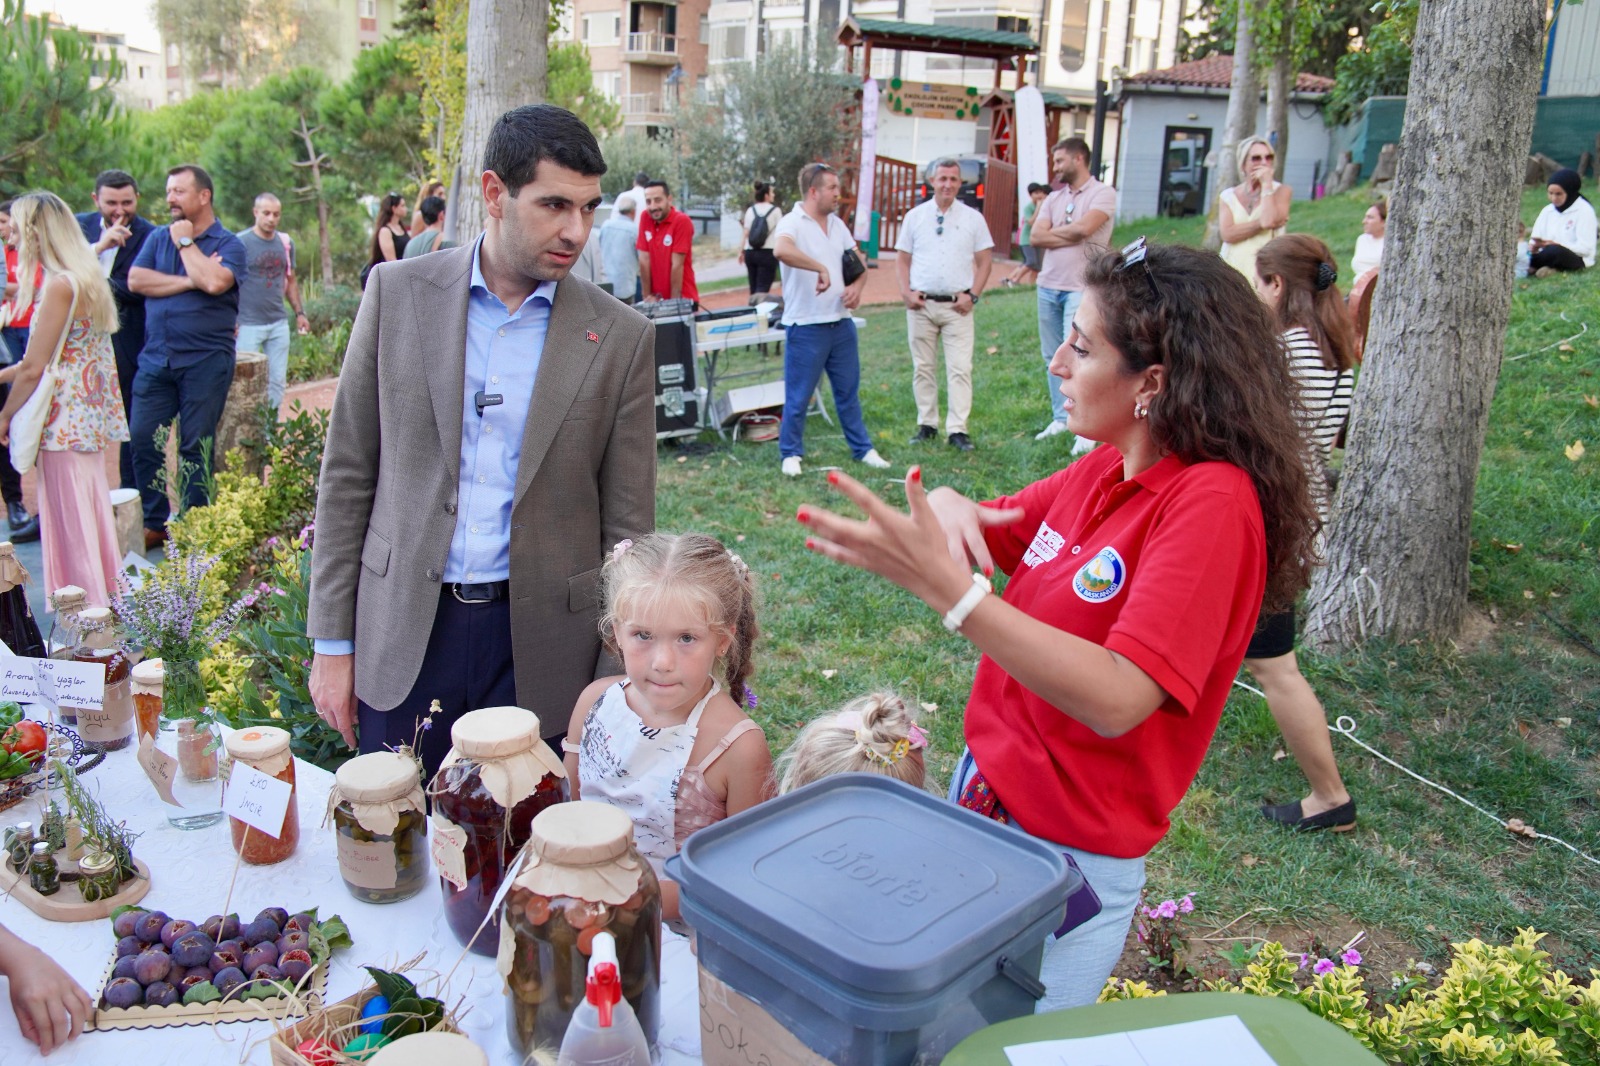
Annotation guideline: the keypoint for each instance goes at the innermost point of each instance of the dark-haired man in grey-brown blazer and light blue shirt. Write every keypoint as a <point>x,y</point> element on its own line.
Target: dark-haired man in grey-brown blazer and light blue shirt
<point>492,438</point>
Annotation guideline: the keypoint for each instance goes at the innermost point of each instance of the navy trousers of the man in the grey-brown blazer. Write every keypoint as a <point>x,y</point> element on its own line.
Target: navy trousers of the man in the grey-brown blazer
<point>468,667</point>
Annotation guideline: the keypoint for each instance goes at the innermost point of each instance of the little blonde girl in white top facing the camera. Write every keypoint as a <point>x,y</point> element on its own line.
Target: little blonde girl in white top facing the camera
<point>668,742</point>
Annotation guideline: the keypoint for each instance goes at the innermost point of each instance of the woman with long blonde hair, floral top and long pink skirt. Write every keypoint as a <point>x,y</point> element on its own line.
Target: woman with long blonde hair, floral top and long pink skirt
<point>78,531</point>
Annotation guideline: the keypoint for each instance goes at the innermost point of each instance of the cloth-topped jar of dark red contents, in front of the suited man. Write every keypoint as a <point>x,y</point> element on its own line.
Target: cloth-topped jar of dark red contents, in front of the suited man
<point>497,777</point>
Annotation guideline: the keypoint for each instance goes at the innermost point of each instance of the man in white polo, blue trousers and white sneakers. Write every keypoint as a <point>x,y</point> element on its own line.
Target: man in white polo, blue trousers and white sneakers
<point>818,331</point>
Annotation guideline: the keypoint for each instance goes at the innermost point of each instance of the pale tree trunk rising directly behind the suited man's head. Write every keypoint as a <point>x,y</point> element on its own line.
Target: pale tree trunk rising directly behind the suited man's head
<point>508,66</point>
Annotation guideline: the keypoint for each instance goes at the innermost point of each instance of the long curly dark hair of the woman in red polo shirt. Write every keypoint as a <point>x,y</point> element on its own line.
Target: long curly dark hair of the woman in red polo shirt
<point>1228,396</point>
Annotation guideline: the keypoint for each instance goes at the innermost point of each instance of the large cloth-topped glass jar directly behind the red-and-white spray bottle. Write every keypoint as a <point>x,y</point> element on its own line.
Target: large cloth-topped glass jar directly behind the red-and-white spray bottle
<point>580,875</point>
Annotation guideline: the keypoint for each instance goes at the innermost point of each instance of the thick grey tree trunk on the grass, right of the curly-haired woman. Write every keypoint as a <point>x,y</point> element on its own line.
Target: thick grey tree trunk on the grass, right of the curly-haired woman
<point>1398,559</point>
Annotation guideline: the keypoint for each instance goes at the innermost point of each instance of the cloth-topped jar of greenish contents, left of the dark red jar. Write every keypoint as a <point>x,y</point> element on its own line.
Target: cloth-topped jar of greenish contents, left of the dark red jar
<point>382,824</point>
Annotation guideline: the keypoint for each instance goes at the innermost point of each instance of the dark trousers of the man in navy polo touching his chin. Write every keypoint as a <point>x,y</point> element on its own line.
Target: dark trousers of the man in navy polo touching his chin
<point>193,395</point>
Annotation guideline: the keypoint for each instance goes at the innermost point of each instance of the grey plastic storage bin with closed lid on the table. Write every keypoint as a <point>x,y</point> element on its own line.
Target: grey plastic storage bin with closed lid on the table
<point>876,923</point>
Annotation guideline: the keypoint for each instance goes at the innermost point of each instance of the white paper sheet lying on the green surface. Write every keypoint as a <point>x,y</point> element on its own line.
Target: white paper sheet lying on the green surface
<point>1209,1043</point>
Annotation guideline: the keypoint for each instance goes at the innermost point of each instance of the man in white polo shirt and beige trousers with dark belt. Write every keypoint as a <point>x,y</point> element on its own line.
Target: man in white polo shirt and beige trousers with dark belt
<point>945,260</point>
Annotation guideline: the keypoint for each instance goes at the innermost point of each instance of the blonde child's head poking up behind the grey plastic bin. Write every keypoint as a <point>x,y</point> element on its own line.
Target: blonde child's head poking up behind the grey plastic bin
<point>871,734</point>
